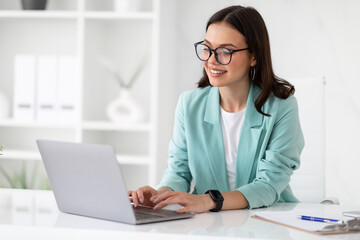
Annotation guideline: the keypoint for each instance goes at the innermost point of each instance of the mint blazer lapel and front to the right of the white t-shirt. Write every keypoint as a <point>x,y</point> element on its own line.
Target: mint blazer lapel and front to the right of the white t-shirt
<point>249,140</point>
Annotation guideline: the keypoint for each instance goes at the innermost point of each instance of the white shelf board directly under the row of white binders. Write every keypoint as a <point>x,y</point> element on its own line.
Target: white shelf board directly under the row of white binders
<point>34,124</point>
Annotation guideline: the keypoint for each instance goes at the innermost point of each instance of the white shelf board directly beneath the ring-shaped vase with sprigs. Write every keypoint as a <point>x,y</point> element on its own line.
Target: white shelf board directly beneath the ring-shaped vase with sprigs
<point>108,126</point>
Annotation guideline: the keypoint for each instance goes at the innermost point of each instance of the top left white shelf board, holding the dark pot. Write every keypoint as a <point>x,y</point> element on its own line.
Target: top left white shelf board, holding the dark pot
<point>38,14</point>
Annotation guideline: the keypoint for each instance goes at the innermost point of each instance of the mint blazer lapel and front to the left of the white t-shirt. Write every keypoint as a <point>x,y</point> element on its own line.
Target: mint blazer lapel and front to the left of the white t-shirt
<point>214,140</point>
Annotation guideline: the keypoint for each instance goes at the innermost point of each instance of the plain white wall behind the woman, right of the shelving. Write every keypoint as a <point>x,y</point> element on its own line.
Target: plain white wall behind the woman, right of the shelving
<point>309,38</point>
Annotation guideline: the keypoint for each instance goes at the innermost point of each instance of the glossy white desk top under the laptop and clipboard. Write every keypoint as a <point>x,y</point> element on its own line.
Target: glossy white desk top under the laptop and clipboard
<point>34,215</point>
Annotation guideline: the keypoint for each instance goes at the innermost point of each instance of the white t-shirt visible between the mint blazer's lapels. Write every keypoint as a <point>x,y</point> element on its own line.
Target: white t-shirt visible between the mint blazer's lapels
<point>231,124</point>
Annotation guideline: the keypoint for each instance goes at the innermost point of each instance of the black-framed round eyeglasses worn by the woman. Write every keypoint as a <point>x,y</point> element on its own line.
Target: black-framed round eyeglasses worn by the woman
<point>222,55</point>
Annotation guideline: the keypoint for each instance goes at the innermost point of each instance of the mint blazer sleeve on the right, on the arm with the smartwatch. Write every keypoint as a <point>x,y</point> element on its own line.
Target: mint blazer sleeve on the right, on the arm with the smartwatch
<point>281,157</point>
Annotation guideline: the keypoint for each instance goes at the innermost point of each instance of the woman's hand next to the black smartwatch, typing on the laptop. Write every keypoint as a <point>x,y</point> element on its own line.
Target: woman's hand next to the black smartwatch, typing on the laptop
<point>190,202</point>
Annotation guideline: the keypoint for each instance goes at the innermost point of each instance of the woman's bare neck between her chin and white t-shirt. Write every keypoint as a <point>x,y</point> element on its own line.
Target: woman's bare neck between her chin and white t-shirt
<point>233,98</point>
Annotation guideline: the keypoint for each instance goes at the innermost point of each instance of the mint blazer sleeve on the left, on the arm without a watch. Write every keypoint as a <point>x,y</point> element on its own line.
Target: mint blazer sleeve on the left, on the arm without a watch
<point>177,176</point>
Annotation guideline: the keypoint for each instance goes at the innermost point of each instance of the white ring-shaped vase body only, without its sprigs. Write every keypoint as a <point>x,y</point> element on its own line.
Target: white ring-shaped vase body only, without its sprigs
<point>124,109</point>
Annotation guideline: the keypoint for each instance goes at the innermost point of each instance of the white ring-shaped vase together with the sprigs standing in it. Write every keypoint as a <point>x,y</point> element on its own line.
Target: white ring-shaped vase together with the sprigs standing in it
<point>124,108</point>
